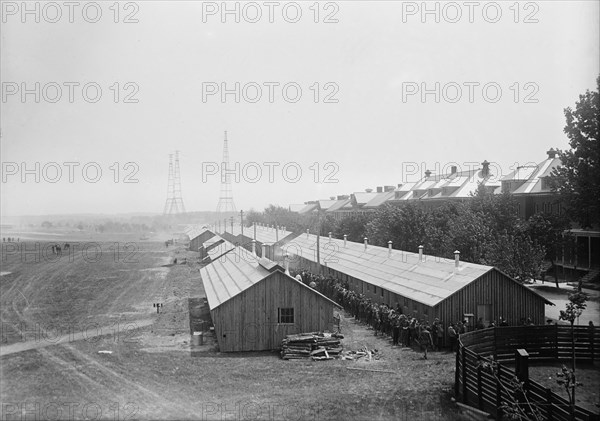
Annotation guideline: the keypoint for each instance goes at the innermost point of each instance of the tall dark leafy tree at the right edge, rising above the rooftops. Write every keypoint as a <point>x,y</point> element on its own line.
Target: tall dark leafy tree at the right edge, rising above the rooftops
<point>576,180</point>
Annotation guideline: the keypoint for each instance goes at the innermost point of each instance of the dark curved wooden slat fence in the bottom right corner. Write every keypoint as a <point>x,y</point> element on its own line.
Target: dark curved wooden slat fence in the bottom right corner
<point>480,388</point>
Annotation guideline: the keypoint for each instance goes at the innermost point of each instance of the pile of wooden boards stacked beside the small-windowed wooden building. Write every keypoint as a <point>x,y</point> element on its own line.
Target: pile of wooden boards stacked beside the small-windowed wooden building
<point>314,345</point>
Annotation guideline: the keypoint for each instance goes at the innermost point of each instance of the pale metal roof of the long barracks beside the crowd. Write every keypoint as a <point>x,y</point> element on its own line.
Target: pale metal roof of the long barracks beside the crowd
<point>428,282</point>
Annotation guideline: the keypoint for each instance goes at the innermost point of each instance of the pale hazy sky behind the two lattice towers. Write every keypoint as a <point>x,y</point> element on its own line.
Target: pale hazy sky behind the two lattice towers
<point>369,69</point>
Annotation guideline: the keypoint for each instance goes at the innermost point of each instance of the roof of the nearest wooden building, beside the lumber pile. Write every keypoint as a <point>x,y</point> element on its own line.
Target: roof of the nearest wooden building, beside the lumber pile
<point>237,271</point>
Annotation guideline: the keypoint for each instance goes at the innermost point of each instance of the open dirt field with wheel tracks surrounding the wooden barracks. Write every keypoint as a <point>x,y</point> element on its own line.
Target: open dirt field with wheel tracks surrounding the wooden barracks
<point>105,304</point>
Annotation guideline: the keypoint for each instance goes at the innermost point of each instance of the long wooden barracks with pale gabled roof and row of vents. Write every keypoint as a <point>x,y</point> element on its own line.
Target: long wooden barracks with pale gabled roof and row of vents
<point>424,286</point>
